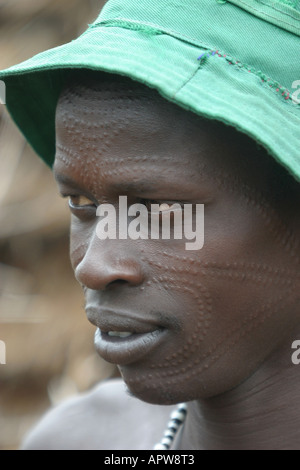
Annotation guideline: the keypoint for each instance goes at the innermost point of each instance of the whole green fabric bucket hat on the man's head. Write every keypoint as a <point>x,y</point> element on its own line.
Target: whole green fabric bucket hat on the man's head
<point>236,61</point>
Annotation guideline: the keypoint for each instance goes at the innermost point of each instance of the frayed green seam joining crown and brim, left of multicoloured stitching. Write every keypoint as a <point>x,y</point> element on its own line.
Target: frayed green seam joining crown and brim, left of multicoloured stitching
<point>148,27</point>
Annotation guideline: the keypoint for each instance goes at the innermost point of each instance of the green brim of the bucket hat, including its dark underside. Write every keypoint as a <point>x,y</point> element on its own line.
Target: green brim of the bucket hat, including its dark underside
<point>203,81</point>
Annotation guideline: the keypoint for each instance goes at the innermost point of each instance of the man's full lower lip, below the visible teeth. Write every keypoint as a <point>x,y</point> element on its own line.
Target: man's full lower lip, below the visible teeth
<point>124,351</point>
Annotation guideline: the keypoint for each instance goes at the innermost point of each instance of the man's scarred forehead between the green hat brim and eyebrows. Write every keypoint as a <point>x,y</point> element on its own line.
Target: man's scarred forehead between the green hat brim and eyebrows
<point>122,129</point>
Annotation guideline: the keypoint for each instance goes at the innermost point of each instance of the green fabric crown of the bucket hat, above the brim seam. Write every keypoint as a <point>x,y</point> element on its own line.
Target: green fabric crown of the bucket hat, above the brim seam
<point>271,29</point>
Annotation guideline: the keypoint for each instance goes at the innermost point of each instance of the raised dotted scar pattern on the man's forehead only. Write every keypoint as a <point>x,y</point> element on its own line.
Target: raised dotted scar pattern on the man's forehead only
<point>94,138</point>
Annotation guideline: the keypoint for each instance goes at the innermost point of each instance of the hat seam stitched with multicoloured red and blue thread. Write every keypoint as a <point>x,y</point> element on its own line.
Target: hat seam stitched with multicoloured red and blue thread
<point>271,83</point>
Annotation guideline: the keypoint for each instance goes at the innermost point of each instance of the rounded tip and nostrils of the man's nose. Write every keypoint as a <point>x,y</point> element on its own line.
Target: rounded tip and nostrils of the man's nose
<point>108,262</point>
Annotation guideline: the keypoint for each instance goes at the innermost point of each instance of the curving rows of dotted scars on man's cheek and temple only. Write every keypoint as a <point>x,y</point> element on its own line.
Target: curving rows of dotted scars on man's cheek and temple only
<point>281,280</point>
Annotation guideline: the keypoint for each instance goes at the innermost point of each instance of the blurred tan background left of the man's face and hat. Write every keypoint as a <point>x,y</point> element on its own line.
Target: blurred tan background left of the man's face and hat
<point>49,342</point>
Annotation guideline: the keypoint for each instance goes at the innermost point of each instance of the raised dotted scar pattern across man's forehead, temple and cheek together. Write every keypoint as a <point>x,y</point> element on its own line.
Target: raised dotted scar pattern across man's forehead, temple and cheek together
<point>194,276</point>
